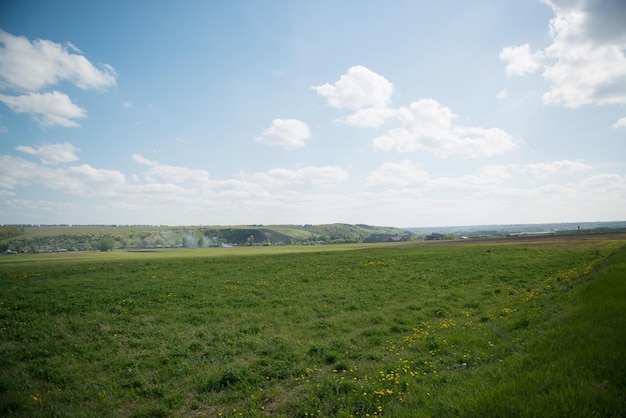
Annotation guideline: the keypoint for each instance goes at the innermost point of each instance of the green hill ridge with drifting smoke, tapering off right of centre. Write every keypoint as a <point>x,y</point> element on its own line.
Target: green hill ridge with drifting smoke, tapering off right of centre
<point>31,238</point>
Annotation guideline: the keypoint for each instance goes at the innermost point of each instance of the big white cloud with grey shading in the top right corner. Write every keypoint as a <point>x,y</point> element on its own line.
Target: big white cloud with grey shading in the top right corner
<point>585,62</point>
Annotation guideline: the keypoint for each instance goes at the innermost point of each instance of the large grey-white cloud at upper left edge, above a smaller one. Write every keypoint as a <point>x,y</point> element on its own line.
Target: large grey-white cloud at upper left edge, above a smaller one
<point>32,66</point>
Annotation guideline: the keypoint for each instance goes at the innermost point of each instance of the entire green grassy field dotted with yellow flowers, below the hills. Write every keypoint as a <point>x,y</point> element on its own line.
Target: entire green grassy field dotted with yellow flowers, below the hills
<point>533,328</point>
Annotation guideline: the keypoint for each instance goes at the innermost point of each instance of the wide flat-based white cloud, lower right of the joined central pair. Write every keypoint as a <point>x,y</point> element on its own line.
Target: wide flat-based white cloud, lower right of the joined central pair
<point>429,126</point>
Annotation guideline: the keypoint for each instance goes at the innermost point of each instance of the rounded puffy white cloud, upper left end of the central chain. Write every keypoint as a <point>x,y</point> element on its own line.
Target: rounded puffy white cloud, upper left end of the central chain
<point>358,88</point>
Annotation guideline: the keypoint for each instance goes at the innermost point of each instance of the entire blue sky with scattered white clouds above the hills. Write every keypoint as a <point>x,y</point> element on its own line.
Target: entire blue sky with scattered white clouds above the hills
<point>403,113</point>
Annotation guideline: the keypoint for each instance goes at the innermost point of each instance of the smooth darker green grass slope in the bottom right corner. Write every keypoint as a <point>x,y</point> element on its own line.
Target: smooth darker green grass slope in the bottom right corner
<point>576,367</point>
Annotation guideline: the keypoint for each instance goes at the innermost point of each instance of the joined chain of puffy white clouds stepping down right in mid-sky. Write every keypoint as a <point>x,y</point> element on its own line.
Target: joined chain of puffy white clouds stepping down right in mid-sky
<point>426,124</point>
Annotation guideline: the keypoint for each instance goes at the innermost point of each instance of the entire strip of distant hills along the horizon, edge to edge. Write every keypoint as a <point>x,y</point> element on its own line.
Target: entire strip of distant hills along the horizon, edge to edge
<point>45,238</point>
